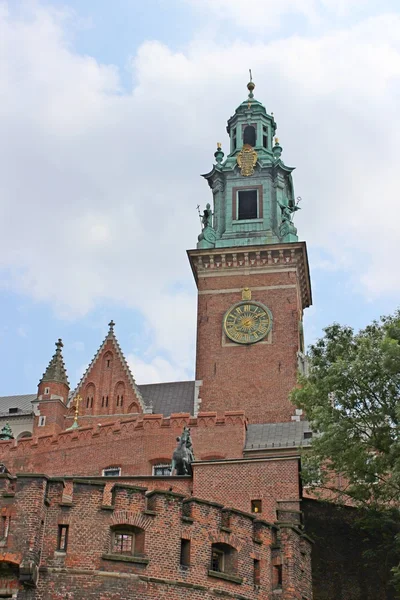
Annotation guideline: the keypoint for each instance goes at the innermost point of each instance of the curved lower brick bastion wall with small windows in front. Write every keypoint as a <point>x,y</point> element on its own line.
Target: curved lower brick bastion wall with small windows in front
<point>89,568</point>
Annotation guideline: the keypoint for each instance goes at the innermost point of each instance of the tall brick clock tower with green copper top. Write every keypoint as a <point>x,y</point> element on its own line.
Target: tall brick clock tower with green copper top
<point>252,276</point>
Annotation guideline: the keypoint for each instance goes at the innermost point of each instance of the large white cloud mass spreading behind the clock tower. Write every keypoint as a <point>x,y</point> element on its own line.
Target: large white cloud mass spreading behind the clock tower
<point>99,188</point>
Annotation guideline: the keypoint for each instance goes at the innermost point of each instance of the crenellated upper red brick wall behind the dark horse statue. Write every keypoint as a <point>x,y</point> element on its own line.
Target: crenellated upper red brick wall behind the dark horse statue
<point>134,444</point>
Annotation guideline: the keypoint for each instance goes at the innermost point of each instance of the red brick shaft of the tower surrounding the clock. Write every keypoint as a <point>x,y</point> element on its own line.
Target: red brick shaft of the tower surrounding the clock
<point>258,377</point>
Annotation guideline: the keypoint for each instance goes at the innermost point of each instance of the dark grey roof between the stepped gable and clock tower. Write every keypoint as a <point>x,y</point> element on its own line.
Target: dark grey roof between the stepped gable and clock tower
<point>168,398</point>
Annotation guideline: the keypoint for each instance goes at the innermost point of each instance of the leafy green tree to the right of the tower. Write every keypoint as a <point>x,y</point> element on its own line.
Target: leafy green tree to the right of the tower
<point>351,396</point>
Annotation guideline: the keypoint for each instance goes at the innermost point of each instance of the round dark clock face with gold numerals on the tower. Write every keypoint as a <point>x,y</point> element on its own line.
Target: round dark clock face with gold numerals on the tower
<point>247,322</point>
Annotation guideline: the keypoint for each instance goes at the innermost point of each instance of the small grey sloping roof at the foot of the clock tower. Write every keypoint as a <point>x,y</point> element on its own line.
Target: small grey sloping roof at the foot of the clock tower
<point>278,435</point>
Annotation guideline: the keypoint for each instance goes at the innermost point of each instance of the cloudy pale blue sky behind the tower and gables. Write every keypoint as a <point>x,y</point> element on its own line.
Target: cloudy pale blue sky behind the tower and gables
<point>111,110</point>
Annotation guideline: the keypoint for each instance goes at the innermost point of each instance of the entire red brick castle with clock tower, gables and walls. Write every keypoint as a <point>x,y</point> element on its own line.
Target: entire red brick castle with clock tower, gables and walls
<point>90,507</point>
